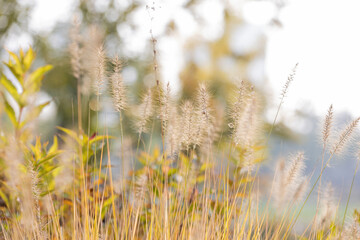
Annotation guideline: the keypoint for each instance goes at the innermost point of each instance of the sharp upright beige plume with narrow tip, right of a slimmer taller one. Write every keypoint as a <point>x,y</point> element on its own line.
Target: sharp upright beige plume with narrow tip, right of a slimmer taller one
<point>118,88</point>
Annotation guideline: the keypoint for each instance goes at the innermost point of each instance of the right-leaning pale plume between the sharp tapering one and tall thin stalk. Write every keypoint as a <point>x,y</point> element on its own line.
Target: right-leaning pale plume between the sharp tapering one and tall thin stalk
<point>144,112</point>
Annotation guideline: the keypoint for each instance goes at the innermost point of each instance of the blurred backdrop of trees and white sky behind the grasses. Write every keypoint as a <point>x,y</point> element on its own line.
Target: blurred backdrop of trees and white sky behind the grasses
<point>217,41</point>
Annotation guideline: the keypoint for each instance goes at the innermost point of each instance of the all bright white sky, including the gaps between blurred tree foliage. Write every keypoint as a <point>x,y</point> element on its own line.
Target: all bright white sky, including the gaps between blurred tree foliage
<point>321,35</point>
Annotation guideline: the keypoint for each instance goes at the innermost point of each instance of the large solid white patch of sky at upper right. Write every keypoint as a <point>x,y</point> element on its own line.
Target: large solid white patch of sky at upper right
<point>324,37</point>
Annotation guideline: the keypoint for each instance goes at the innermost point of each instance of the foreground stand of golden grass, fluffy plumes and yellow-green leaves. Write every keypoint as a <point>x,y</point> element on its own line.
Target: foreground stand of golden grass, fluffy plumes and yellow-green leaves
<point>172,168</point>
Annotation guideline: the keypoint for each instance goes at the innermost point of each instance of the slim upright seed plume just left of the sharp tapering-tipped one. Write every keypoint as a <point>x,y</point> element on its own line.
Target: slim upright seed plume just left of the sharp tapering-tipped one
<point>100,71</point>
